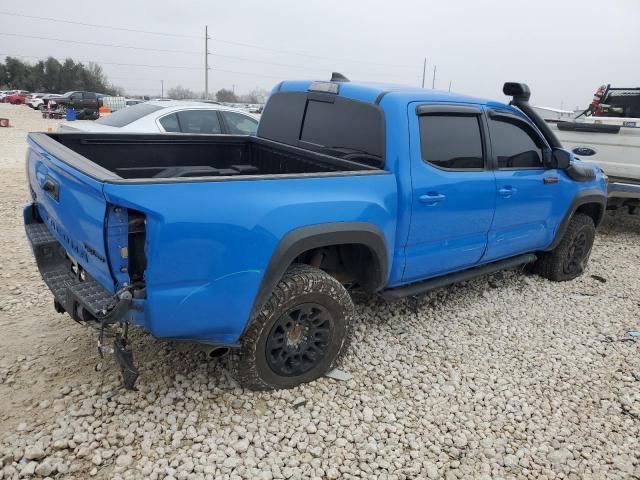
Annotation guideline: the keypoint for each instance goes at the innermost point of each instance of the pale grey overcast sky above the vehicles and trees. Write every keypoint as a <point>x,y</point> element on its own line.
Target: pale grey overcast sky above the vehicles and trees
<point>564,49</point>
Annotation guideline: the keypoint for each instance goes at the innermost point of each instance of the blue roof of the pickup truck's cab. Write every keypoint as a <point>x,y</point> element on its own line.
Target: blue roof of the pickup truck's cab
<point>375,92</point>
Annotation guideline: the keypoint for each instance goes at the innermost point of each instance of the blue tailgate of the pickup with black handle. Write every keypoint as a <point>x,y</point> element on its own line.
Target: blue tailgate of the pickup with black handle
<point>72,206</point>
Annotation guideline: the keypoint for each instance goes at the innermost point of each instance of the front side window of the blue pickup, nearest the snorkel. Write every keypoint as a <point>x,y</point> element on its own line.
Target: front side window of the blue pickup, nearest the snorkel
<point>513,146</point>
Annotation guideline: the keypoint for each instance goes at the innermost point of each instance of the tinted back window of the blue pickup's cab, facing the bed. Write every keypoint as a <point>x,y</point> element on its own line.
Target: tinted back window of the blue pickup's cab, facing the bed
<point>326,123</point>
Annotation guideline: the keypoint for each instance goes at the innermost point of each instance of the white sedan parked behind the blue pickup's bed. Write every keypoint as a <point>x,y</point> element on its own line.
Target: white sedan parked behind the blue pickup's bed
<point>172,116</point>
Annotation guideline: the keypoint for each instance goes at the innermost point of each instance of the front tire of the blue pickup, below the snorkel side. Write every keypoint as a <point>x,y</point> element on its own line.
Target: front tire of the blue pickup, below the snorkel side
<point>553,265</point>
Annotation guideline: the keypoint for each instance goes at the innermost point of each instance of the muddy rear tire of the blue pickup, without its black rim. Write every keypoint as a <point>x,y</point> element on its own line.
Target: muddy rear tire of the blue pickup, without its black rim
<point>300,285</point>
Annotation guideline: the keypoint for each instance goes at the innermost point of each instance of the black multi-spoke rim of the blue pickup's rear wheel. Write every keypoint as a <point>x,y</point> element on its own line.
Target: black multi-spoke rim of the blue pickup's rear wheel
<point>299,339</point>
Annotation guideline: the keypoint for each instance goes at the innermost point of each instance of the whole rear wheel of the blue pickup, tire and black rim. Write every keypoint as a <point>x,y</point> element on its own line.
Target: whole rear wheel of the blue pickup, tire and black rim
<point>300,333</point>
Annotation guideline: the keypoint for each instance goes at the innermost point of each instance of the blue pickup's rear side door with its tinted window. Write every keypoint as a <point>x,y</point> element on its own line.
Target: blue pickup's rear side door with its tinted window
<point>453,190</point>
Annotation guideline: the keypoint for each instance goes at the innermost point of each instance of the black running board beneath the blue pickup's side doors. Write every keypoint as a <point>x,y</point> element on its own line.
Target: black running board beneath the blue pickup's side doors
<point>439,282</point>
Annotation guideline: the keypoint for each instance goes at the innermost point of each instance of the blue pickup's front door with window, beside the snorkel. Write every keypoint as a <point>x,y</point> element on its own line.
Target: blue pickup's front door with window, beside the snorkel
<point>525,189</point>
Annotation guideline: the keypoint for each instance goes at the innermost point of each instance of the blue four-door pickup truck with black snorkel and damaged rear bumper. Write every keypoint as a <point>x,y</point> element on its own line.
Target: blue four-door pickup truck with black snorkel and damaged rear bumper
<point>251,244</point>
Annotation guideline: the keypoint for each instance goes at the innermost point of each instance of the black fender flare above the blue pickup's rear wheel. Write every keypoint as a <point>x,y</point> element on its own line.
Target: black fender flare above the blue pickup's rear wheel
<point>303,239</point>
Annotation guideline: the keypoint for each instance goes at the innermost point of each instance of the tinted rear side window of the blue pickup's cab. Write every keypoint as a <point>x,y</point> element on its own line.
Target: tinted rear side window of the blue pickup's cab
<point>449,141</point>
